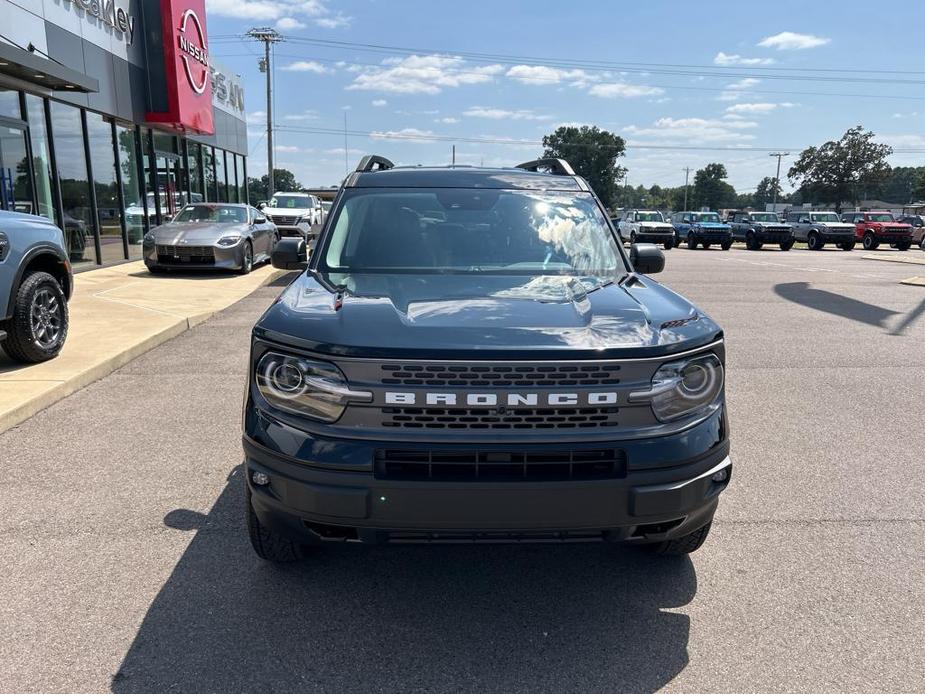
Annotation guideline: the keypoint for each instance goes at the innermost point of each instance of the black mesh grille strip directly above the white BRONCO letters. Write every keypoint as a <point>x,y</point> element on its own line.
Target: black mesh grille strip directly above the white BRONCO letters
<point>516,376</point>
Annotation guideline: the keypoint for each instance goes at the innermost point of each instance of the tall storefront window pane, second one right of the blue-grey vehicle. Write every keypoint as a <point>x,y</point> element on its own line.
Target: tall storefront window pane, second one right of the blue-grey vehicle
<point>109,213</point>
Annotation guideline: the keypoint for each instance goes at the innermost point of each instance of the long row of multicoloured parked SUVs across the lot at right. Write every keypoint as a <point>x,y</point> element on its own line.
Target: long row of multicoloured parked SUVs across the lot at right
<point>755,229</point>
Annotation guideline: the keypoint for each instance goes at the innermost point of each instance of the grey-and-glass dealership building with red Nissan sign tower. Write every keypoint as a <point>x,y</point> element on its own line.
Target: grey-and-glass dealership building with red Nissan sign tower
<point>112,116</point>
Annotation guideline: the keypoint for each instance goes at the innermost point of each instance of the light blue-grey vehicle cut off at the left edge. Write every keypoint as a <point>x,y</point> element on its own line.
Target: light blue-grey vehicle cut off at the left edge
<point>35,285</point>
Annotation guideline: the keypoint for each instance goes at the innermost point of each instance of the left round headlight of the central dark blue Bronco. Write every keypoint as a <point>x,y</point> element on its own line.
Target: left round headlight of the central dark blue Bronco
<point>307,387</point>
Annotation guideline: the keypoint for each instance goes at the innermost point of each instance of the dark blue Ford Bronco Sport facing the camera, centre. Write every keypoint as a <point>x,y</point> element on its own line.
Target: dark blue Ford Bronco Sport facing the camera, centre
<point>471,356</point>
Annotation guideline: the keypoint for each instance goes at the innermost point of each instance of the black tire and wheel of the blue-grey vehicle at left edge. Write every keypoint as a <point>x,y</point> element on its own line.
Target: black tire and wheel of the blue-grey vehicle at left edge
<point>38,328</point>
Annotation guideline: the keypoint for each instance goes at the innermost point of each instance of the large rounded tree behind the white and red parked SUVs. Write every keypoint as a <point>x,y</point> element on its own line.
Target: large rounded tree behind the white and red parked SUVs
<point>843,170</point>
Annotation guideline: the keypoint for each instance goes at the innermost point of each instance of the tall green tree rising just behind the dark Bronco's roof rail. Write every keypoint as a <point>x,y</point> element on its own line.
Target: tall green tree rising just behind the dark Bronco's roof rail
<point>593,153</point>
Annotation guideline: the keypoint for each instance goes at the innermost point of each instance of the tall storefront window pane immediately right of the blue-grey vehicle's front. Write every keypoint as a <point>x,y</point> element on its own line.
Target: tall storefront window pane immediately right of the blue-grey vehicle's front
<point>75,188</point>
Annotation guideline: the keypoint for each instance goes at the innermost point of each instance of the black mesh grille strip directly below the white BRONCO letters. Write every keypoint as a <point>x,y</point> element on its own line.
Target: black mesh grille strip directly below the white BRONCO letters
<point>488,418</point>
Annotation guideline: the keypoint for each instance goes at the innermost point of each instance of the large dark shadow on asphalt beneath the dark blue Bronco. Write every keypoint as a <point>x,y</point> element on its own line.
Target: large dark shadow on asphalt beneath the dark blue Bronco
<point>407,618</point>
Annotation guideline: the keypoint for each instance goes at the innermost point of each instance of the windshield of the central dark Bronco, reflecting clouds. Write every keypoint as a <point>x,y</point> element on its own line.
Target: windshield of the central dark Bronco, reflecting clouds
<point>475,231</point>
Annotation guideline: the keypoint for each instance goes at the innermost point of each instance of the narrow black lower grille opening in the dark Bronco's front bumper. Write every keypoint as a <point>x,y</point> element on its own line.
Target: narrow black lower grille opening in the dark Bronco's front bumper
<point>484,466</point>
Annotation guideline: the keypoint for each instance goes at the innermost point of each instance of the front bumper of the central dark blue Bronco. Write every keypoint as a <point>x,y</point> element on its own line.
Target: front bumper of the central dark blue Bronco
<point>331,489</point>
